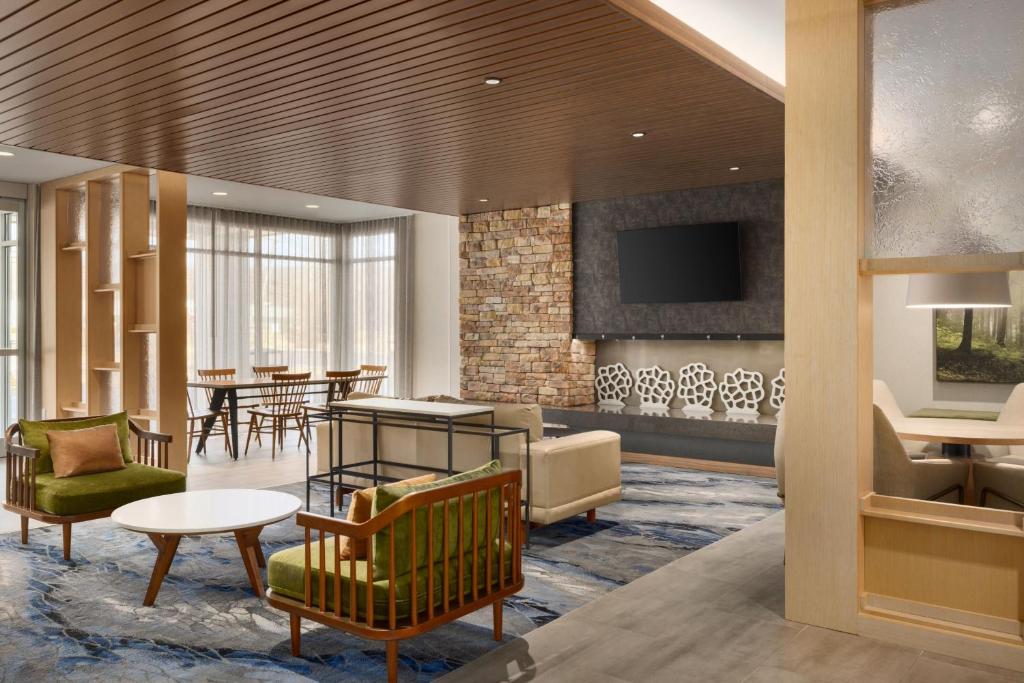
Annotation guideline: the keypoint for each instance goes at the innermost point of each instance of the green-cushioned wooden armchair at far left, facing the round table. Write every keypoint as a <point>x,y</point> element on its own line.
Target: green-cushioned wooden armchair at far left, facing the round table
<point>34,493</point>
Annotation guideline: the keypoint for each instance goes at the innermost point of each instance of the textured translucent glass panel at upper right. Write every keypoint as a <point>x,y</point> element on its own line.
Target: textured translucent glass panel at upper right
<point>947,94</point>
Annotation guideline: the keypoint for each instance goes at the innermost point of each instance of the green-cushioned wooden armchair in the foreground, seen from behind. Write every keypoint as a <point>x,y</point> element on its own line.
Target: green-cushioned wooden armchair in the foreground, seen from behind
<point>437,552</point>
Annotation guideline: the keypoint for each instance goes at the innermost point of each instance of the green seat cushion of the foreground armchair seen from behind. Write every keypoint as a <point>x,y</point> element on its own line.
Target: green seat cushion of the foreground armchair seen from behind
<point>286,568</point>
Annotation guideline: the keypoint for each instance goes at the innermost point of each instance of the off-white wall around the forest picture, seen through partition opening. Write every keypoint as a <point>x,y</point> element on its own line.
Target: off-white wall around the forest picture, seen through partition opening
<point>905,357</point>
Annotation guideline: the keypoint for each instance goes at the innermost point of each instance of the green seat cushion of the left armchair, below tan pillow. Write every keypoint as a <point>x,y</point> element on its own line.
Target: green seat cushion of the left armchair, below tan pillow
<point>105,491</point>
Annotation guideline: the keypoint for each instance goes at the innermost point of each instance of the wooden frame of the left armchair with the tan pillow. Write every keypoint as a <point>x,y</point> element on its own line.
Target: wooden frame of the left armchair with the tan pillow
<point>21,494</point>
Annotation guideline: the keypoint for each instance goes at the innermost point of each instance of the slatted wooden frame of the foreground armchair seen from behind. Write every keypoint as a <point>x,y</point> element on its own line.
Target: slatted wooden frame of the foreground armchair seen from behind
<point>423,618</point>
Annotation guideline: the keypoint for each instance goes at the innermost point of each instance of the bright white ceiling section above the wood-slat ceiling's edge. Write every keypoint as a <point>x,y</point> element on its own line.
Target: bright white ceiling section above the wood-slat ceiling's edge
<point>753,30</point>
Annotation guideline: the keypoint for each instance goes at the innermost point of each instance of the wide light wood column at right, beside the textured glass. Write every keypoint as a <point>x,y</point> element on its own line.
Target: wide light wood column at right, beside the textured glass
<point>828,312</point>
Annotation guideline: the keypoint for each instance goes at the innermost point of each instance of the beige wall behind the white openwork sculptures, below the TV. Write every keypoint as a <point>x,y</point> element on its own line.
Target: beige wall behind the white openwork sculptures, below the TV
<point>721,357</point>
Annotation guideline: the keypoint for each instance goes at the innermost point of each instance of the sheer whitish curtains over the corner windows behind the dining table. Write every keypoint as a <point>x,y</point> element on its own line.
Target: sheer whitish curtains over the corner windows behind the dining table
<point>315,296</point>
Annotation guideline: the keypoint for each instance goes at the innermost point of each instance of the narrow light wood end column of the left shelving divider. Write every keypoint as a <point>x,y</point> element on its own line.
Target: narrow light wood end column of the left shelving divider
<point>173,319</point>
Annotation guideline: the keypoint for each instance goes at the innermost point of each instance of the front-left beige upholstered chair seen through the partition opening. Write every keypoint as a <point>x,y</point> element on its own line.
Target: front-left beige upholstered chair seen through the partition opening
<point>898,475</point>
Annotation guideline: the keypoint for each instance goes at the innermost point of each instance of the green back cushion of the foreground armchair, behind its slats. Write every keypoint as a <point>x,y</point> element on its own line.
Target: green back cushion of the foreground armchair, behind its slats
<point>388,496</point>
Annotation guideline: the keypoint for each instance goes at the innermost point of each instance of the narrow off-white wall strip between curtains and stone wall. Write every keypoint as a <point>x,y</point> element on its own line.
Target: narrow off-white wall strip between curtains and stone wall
<point>436,305</point>
